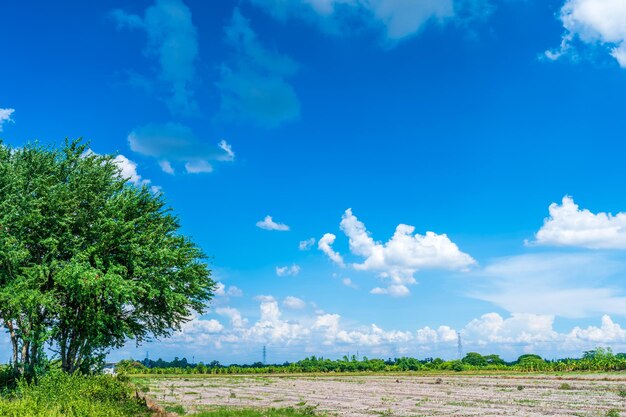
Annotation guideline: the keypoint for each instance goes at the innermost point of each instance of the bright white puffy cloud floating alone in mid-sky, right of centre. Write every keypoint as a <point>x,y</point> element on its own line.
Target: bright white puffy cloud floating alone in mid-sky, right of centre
<point>401,257</point>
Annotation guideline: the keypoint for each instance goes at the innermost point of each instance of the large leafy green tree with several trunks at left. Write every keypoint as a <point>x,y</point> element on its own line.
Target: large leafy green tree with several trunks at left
<point>88,260</point>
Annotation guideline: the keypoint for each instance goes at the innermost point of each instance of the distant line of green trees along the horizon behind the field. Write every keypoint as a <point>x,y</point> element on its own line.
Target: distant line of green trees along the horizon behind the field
<point>600,359</point>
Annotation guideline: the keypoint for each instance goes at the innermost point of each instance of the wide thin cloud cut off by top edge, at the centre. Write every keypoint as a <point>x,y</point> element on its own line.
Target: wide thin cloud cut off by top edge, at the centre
<point>397,19</point>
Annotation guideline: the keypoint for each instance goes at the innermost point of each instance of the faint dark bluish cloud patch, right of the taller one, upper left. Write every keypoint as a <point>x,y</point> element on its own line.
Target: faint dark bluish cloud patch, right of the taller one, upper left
<point>253,84</point>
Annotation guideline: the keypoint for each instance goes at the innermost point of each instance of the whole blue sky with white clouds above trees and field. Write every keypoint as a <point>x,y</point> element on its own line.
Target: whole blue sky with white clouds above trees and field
<point>346,122</point>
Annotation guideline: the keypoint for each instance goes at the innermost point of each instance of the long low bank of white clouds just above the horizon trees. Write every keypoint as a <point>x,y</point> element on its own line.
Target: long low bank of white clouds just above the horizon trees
<point>326,332</point>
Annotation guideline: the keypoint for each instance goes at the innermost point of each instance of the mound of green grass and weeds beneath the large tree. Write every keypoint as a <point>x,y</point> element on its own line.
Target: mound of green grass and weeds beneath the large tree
<point>59,394</point>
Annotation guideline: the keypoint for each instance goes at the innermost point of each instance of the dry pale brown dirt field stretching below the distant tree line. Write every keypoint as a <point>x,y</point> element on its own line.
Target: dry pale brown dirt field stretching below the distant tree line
<point>415,395</point>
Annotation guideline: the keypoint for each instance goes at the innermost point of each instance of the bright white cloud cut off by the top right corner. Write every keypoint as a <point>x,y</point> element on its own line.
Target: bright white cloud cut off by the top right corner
<point>593,22</point>
